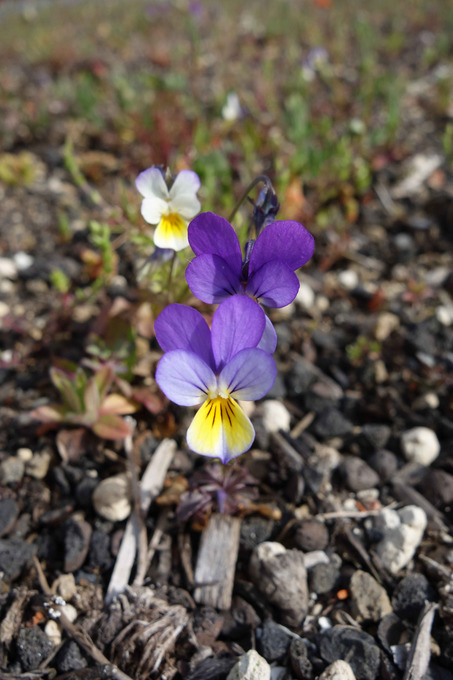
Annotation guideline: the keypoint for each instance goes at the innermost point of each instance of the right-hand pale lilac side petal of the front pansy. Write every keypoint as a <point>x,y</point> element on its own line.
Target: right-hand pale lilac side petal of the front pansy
<point>249,375</point>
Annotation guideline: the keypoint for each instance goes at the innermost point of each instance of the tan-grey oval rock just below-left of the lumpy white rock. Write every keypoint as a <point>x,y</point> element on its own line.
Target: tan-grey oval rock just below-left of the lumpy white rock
<point>369,599</point>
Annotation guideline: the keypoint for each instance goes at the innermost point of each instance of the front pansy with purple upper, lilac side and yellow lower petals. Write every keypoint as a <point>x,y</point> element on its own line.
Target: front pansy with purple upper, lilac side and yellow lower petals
<point>214,369</point>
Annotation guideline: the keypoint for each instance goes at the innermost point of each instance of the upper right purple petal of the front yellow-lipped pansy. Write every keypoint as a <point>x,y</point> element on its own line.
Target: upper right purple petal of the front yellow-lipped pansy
<point>238,323</point>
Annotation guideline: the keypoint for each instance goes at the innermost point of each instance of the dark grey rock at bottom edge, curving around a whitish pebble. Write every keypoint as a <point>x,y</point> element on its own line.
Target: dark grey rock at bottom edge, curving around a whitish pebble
<point>345,642</point>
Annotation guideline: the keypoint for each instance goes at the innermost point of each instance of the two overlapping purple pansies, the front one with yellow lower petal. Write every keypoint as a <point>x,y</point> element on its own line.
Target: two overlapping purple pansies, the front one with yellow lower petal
<point>217,368</point>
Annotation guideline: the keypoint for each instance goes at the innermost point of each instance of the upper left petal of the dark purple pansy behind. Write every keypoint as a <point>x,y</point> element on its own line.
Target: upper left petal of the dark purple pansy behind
<point>210,234</point>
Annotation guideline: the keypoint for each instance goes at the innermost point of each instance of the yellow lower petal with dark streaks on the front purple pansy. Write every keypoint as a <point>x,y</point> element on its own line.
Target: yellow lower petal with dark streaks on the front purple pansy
<point>220,429</point>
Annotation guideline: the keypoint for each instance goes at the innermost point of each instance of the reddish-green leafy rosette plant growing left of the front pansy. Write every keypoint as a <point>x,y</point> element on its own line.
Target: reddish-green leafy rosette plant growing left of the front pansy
<point>86,402</point>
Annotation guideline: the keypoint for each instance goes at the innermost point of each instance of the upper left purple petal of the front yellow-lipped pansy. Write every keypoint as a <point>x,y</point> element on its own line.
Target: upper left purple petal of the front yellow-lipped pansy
<point>181,327</point>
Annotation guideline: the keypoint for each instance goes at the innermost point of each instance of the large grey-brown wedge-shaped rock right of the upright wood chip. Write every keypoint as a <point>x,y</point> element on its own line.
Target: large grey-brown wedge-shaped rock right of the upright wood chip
<point>282,578</point>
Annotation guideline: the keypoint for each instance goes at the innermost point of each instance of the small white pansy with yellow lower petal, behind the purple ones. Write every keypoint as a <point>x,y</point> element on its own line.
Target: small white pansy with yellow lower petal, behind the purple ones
<point>169,209</point>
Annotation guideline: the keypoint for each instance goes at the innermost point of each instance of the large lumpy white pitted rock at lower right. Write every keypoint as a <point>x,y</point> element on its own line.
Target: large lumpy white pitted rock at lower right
<point>402,534</point>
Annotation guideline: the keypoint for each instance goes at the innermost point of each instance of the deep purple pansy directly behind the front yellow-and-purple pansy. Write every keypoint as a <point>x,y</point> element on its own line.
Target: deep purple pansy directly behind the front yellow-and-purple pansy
<point>266,273</point>
